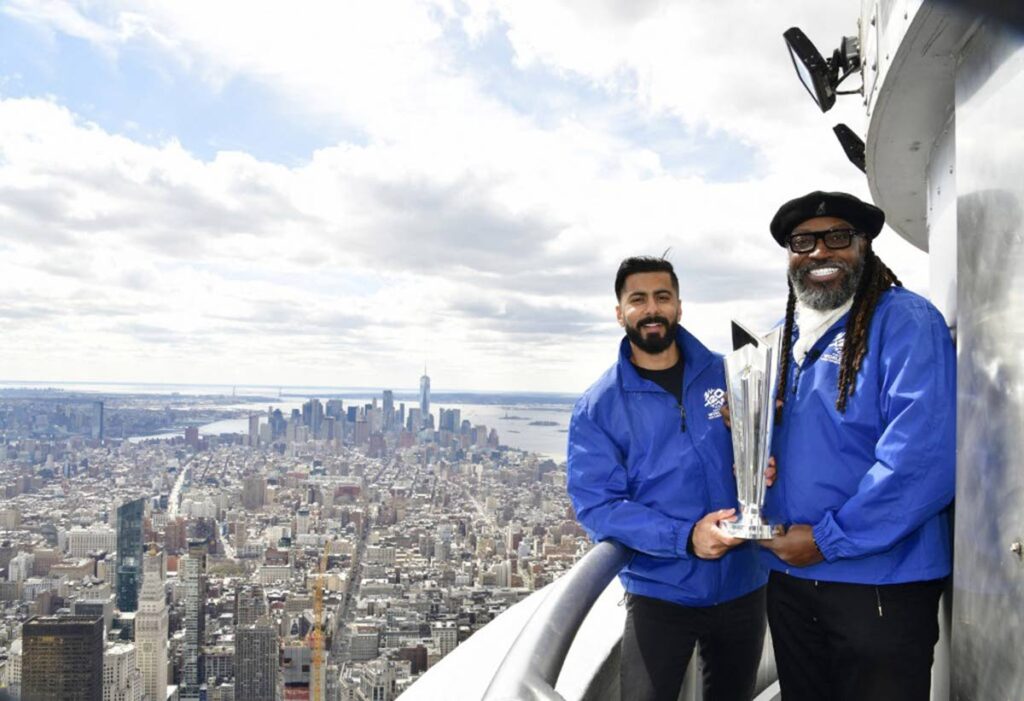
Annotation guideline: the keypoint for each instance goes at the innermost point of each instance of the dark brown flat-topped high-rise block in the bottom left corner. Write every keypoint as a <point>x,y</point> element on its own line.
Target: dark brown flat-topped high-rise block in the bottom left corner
<point>63,659</point>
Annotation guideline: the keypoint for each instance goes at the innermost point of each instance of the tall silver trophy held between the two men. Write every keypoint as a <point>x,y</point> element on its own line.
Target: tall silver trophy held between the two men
<point>752,376</point>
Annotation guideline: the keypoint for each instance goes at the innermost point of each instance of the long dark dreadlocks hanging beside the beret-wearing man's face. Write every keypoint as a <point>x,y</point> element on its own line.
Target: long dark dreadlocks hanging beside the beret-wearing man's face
<point>876,279</point>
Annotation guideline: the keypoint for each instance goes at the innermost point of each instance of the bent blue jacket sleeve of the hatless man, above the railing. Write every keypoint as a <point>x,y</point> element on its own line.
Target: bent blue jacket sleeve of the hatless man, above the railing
<point>599,487</point>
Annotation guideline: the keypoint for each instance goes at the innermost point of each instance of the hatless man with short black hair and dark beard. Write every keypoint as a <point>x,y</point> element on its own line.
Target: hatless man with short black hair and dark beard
<point>651,467</point>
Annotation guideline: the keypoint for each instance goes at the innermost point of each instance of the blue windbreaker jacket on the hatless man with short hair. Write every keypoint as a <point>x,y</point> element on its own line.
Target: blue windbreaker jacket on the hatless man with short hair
<point>644,471</point>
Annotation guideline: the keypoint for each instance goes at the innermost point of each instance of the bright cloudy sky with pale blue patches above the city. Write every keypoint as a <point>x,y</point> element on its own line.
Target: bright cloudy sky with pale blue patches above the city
<point>330,194</point>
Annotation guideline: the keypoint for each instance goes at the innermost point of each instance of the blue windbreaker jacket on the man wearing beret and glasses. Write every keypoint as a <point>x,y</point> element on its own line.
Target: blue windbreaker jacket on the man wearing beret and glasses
<point>875,483</point>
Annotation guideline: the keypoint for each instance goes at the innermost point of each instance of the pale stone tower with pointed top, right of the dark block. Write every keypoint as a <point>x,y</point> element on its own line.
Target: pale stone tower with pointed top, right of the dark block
<point>151,631</point>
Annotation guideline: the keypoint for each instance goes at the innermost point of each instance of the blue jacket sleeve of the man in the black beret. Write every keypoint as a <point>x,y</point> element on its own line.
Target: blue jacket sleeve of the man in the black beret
<point>913,478</point>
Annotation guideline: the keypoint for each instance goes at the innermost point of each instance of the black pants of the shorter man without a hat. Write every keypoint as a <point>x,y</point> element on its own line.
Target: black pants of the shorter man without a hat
<point>659,641</point>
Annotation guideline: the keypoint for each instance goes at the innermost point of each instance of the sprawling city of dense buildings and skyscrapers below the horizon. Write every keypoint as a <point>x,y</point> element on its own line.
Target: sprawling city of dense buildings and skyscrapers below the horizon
<point>335,554</point>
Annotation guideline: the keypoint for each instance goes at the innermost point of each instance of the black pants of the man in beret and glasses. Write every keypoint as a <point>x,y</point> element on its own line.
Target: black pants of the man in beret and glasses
<point>854,642</point>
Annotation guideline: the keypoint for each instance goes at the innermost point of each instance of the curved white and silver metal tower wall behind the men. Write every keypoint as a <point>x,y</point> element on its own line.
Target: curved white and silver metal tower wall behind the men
<point>945,92</point>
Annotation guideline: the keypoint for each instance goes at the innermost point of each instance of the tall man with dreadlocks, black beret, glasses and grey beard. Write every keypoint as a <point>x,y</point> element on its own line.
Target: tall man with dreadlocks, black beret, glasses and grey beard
<point>866,444</point>
